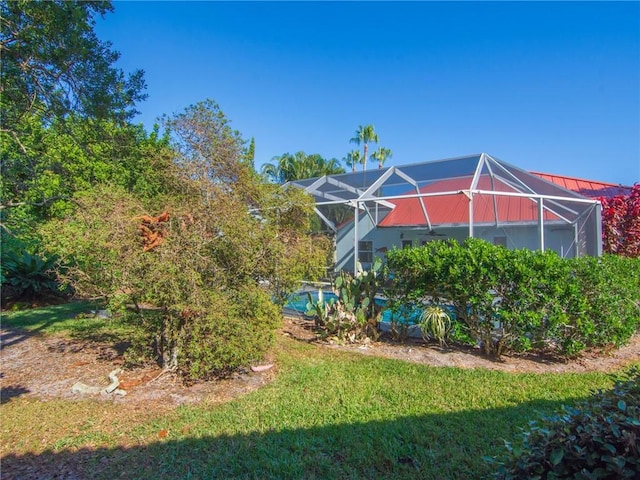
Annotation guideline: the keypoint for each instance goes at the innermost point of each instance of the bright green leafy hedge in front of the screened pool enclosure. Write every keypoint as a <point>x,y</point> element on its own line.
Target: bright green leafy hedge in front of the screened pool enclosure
<point>517,300</point>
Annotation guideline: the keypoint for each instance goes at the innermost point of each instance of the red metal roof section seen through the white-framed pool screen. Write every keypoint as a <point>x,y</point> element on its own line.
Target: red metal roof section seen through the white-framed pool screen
<point>454,209</point>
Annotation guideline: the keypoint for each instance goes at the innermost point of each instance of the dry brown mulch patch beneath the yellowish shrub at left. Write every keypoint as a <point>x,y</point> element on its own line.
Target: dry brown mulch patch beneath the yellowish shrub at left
<point>47,367</point>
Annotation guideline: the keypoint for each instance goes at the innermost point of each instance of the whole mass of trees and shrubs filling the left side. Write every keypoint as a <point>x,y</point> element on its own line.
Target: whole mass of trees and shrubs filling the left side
<point>174,229</point>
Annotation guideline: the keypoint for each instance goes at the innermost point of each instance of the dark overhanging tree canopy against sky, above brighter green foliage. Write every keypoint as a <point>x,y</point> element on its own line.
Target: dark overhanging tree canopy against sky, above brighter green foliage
<point>53,65</point>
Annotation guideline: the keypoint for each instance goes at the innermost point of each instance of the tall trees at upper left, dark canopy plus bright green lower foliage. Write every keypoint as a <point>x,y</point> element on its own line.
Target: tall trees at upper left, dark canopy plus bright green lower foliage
<point>65,106</point>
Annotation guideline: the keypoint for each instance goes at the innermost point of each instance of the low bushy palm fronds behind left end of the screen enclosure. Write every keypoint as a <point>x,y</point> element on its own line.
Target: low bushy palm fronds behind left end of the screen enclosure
<point>288,167</point>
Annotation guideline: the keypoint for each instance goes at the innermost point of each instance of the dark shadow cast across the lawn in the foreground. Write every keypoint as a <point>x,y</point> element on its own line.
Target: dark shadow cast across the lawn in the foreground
<point>433,446</point>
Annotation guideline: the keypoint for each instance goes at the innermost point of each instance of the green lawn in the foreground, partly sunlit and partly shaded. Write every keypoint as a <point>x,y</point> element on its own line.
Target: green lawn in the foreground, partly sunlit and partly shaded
<point>328,414</point>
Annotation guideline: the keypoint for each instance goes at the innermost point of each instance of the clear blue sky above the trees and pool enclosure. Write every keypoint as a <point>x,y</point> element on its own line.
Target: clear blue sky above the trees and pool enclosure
<point>547,86</point>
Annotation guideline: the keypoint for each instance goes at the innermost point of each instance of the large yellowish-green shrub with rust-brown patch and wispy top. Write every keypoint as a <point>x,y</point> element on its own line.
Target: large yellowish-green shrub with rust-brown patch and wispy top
<point>200,268</point>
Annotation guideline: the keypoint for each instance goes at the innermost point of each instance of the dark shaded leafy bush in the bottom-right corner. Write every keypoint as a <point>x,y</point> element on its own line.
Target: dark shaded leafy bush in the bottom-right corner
<point>596,439</point>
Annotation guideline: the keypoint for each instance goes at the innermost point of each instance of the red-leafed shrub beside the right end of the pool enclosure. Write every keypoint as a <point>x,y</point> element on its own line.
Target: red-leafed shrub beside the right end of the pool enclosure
<point>621,223</point>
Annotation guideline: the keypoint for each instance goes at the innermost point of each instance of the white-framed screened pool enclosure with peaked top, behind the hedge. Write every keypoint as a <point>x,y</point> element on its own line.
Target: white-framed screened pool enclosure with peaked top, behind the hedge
<point>372,211</point>
